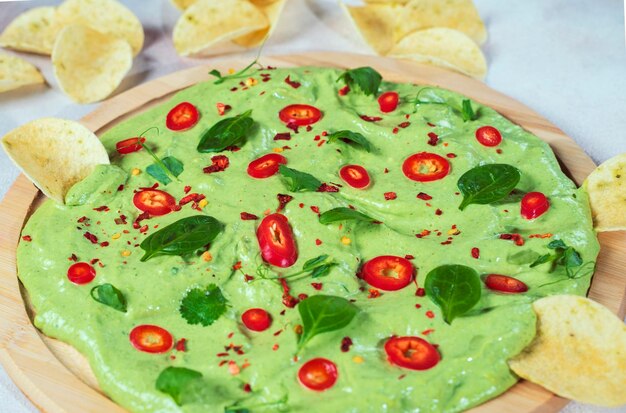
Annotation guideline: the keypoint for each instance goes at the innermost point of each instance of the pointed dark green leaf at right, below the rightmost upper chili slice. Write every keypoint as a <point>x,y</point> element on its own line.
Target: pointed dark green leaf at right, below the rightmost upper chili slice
<point>487,183</point>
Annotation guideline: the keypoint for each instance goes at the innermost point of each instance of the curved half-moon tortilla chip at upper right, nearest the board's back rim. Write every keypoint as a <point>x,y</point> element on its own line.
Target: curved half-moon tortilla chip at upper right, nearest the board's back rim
<point>444,47</point>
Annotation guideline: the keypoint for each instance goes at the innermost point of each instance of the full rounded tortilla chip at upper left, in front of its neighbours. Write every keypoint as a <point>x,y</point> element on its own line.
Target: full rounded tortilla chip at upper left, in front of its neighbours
<point>90,65</point>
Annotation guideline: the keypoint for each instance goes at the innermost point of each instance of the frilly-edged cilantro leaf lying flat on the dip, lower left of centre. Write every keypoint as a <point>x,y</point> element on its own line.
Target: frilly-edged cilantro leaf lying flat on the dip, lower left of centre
<point>203,306</point>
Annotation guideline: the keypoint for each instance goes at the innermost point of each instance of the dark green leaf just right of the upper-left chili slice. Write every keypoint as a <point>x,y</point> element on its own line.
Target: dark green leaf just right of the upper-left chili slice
<point>227,132</point>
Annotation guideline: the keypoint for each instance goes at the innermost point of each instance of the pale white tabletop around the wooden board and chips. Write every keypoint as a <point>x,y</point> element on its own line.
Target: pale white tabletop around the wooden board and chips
<point>564,58</point>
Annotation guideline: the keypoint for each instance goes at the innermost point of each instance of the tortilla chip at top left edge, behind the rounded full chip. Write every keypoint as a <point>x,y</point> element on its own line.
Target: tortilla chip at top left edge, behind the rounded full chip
<point>106,16</point>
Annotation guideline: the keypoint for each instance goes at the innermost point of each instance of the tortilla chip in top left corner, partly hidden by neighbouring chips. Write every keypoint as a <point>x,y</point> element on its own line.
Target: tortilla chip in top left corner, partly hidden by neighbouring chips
<point>32,31</point>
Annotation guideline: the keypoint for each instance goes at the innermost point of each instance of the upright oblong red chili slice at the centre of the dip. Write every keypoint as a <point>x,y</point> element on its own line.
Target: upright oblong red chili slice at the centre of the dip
<point>276,241</point>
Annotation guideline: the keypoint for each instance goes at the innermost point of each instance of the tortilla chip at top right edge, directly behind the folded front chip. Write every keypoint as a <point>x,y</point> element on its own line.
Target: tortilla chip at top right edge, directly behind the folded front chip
<point>455,14</point>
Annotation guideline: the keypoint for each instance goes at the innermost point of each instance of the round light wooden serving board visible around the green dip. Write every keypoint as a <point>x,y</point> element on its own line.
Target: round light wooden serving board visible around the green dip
<point>56,378</point>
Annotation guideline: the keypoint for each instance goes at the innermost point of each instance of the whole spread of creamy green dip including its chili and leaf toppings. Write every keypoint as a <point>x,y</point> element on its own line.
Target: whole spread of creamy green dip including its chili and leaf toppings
<point>182,270</point>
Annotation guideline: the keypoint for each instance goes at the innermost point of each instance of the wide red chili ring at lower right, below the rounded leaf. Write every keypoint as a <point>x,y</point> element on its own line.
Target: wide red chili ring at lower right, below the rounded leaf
<point>413,353</point>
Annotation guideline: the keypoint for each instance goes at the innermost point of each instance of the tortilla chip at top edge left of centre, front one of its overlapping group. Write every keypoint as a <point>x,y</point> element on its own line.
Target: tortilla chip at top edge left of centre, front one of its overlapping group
<point>207,23</point>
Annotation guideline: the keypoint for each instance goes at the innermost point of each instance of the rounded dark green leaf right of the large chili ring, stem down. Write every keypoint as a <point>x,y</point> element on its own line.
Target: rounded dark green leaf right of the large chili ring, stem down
<point>456,289</point>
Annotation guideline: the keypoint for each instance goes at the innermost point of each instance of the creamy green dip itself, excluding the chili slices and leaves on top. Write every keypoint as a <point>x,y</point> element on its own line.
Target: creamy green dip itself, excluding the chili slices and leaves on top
<point>257,370</point>
